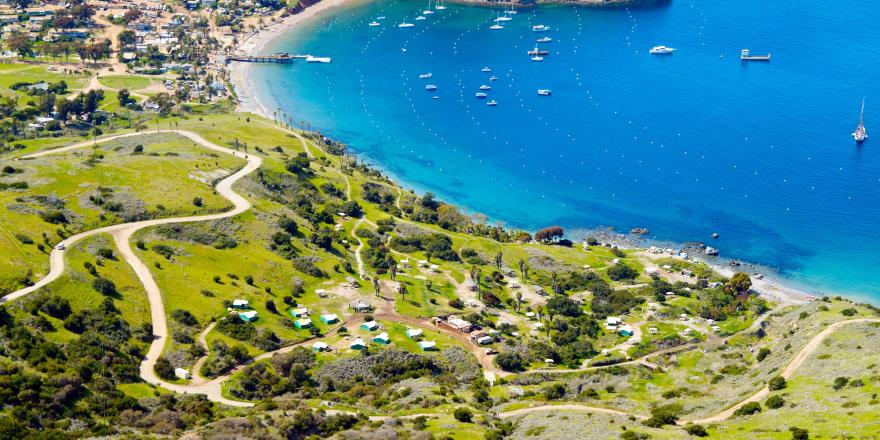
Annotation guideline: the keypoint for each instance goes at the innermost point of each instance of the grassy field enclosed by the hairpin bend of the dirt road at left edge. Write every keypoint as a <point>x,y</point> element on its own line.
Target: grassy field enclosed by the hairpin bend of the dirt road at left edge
<point>130,185</point>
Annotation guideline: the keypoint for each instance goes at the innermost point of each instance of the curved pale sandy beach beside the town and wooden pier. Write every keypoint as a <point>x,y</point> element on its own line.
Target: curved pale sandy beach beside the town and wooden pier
<point>253,44</point>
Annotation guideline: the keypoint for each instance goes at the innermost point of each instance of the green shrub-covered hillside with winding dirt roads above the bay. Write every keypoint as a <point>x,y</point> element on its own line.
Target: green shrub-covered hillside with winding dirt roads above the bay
<point>370,311</point>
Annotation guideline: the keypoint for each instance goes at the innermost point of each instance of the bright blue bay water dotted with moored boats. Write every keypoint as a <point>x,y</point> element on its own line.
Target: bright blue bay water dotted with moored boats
<point>685,145</point>
